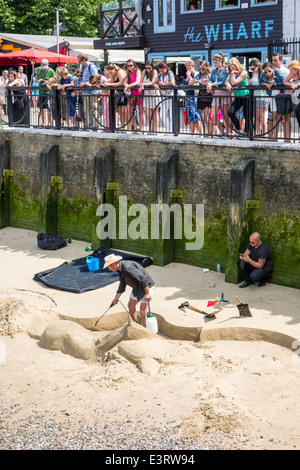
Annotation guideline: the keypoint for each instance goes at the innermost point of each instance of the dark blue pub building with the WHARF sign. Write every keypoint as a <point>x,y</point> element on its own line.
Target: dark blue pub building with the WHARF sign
<point>177,30</point>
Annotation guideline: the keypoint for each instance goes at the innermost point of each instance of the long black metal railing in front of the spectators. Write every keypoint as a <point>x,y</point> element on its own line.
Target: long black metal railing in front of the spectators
<point>175,111</point>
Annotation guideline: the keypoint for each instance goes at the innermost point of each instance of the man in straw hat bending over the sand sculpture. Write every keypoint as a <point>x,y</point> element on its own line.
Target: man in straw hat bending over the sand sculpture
<point>134,275</point>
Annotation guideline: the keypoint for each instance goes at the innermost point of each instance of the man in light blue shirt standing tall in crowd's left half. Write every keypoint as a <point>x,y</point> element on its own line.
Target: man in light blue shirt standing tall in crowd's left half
<point>89,96</point>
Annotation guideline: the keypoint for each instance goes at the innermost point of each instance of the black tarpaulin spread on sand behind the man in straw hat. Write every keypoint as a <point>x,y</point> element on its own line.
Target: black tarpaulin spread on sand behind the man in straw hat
<point>76,277</point>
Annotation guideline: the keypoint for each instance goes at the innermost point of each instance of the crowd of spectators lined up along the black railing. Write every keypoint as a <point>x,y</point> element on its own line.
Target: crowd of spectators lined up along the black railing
<point>215,100</point>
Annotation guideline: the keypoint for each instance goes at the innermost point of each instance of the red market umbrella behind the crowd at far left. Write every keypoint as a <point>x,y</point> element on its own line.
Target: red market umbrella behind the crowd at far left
<point>32,55</point>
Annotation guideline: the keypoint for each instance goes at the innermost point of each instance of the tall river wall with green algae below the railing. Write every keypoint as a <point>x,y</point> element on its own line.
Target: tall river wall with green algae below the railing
<point>225,176</point>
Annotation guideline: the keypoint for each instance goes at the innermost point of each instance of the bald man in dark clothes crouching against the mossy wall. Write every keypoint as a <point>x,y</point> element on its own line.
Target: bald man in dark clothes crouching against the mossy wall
<point>255,264</point>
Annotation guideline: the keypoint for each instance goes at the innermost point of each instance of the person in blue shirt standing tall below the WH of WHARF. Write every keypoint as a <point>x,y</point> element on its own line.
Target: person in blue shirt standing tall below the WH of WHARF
<point>222,98</point>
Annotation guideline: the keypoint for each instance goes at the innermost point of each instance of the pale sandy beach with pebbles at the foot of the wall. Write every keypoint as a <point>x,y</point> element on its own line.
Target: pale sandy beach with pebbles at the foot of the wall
<point>147,392</point>
